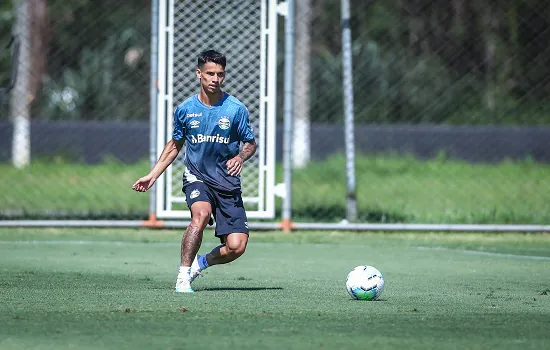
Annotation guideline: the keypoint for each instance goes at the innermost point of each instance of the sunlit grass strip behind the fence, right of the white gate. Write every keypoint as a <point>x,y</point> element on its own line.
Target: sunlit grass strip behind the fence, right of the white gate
<point>405,189</point>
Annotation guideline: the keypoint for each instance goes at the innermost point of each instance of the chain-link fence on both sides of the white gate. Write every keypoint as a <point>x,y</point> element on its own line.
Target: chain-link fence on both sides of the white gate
<point>452,110</point>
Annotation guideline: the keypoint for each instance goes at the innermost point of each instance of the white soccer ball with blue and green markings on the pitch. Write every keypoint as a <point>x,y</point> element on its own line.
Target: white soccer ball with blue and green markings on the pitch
<point>365,283</point>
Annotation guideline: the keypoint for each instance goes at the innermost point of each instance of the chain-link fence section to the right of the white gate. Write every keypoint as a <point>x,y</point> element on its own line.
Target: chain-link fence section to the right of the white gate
<point>452,111</point>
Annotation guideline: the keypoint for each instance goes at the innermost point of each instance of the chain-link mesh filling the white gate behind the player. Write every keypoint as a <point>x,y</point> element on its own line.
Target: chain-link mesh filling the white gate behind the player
<point>240,23</point>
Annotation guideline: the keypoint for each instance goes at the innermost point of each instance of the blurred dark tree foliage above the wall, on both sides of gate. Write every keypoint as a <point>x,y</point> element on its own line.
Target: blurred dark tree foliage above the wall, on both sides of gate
<point>415,61</point>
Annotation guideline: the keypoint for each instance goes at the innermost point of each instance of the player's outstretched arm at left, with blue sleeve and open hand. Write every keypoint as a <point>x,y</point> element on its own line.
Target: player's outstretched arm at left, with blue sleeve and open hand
<point>168,155</point>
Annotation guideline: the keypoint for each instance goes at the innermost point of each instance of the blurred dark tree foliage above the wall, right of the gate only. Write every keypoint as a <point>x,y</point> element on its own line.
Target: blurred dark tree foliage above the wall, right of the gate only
<point>459,61</point>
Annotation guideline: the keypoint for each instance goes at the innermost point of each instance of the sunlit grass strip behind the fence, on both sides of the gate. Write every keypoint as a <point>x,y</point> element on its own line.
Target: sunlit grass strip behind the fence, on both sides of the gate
<point>389,189</point>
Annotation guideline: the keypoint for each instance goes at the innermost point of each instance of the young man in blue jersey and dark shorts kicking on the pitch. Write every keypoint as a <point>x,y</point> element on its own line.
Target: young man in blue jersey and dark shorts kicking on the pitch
<point>212,124</point>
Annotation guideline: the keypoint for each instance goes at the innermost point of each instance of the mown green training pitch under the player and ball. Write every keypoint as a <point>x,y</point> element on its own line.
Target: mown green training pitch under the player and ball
<point>113,289</point>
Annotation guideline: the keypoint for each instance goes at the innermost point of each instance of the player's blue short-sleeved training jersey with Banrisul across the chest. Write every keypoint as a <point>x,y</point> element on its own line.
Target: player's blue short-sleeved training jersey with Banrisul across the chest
<point>212,136</point>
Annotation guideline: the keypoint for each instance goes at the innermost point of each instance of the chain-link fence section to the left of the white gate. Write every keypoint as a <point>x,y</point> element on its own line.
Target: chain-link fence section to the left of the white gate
<point>74,129</point>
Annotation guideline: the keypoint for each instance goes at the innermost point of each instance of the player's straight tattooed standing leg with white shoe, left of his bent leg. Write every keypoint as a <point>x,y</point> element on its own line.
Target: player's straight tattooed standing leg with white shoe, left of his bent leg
<point>200,203</point>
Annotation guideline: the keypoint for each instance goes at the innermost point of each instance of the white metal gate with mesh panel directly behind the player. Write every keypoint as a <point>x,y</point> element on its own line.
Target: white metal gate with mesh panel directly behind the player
<point>246,32</point>
